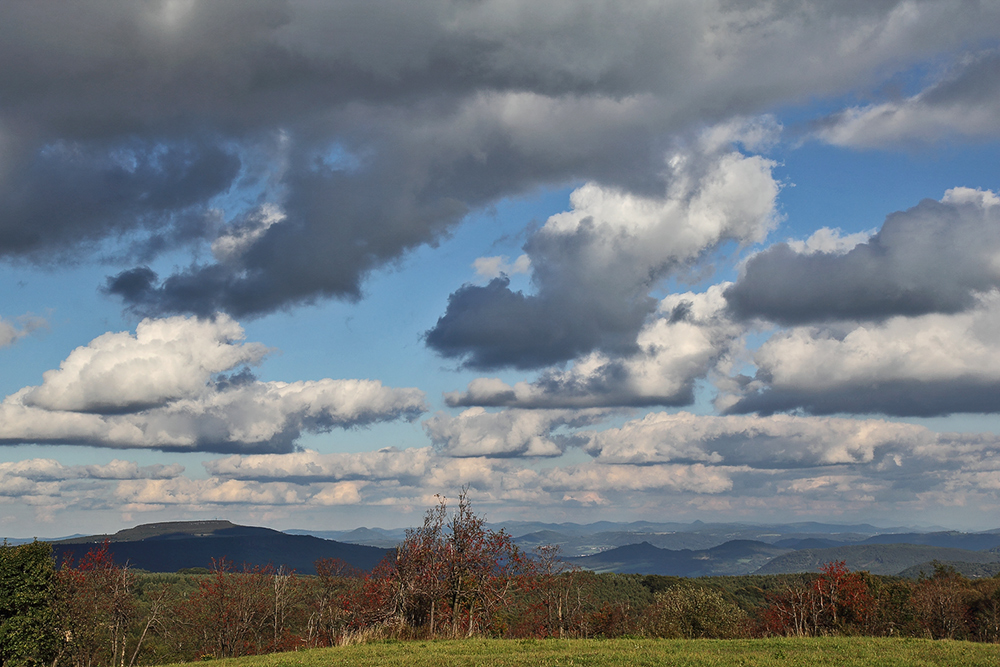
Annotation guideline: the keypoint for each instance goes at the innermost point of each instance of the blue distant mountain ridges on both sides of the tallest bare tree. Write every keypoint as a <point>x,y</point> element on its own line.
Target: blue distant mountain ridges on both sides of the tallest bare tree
<point>669,548</point>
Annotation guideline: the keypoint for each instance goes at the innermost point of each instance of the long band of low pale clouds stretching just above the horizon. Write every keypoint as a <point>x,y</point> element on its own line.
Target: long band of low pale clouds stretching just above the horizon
<point>778,467</point>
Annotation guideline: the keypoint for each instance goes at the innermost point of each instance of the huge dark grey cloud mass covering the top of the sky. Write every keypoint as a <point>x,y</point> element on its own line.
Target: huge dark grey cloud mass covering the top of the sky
<point>130,122</point>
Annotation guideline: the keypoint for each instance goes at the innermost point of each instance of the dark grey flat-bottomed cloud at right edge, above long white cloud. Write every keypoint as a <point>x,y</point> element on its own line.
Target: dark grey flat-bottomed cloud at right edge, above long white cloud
<point>933,258</point>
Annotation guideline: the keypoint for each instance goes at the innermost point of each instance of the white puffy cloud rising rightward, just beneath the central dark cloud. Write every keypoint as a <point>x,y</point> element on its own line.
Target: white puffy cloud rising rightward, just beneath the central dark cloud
<point>685,341</point>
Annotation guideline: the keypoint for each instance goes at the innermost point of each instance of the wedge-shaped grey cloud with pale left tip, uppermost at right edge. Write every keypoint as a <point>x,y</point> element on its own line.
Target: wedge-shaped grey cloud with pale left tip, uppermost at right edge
<point>965,104</point>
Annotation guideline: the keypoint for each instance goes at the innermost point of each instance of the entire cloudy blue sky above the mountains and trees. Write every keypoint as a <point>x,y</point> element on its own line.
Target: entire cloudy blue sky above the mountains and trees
<point>306,264</point>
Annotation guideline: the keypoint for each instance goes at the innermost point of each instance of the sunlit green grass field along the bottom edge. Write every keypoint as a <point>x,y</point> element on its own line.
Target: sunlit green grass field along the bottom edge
<point>835,652</point>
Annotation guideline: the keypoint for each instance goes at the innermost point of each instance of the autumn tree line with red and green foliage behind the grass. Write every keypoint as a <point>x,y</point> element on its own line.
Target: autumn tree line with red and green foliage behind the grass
<point>451,577</point>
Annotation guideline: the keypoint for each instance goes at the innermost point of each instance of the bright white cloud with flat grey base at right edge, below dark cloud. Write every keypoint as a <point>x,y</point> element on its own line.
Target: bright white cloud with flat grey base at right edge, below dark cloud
<point>933,364</point>
